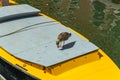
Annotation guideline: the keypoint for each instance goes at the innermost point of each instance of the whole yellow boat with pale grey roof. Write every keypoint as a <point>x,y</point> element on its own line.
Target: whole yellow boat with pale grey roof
<point>28,50</point>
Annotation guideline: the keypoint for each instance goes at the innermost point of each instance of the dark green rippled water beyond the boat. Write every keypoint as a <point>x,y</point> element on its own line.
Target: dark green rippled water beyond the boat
<point>98,20</point>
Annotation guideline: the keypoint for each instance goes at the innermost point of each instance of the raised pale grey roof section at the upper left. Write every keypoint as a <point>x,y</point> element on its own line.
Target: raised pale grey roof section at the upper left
<point>9,12</point>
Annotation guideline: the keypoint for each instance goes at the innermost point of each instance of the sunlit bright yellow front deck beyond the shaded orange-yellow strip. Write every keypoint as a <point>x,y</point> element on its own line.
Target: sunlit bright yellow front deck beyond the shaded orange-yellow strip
<point>102,69</point>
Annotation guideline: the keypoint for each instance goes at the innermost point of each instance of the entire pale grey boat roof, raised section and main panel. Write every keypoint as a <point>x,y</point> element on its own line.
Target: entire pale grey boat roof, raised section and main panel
<point>34,38</point>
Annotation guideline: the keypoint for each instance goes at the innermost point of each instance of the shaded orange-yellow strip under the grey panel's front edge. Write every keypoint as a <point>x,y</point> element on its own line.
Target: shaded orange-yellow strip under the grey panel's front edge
<point>73,63</point>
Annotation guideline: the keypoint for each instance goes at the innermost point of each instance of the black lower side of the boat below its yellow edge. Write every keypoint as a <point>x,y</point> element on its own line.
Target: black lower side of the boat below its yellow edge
<point>8,72</point>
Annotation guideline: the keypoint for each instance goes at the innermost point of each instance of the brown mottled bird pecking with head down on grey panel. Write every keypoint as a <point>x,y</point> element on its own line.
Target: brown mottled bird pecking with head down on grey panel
<point>62,37</point>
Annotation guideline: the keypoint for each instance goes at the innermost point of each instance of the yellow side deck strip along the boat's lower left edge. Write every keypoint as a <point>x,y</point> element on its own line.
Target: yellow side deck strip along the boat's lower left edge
<point>26,68</point>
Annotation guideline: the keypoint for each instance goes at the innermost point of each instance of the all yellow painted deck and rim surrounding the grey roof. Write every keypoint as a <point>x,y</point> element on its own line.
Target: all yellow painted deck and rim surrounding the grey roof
<point>92,66</point>
